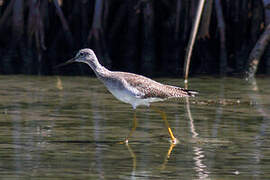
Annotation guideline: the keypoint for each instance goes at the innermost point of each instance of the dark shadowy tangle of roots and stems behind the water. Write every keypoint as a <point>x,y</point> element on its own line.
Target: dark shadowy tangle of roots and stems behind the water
<point>144,36</point>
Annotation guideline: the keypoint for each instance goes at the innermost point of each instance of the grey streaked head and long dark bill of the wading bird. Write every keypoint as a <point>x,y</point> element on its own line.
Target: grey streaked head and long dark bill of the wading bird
<point>85,56</point>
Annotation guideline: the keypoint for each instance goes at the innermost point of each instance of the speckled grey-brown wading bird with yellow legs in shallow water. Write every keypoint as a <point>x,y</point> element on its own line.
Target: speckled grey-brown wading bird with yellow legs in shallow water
<point>131,88</point>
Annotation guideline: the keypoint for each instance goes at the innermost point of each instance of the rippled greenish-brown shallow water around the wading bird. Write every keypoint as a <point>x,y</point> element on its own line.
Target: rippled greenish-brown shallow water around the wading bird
<point>69,127</point>
